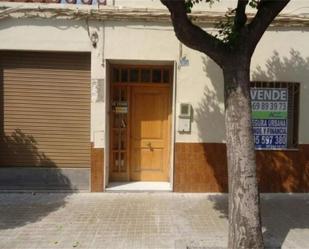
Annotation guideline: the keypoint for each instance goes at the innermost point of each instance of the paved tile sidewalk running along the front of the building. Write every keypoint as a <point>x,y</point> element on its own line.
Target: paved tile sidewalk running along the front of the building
<point>141,220</point>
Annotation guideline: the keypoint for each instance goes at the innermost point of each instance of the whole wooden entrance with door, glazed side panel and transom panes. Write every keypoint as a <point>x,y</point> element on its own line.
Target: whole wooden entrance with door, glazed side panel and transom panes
<point>140,123</point>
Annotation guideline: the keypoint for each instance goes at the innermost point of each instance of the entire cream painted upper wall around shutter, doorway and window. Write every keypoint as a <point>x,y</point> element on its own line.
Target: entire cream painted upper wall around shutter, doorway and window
<point>198,83</point>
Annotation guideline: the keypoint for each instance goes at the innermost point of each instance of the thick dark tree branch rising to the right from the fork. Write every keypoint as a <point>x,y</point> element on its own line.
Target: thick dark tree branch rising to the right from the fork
<point>267,11</point>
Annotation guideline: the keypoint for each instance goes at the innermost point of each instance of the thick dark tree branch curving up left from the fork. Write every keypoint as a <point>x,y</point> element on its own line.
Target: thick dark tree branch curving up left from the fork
<point>192,35</point>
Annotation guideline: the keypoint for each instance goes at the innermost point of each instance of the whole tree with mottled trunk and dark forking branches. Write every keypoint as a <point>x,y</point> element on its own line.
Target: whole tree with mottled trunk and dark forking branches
<point>234,58</point>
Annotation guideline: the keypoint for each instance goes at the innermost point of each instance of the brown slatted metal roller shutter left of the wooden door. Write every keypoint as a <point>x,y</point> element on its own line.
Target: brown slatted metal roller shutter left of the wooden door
<point>45,109</point>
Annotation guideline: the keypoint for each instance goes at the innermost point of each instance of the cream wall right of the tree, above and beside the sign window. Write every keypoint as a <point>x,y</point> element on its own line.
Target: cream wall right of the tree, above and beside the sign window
<point>290,64</point>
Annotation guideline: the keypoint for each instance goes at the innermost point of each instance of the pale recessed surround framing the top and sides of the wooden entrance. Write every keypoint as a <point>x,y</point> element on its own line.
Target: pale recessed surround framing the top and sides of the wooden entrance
<point>172,99</point>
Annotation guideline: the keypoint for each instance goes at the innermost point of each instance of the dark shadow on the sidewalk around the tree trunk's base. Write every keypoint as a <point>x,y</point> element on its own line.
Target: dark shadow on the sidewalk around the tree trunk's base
<point>280,215</point>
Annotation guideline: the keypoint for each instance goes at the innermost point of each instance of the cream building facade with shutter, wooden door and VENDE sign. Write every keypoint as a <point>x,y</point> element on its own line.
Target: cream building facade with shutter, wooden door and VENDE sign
<point>102,94</point>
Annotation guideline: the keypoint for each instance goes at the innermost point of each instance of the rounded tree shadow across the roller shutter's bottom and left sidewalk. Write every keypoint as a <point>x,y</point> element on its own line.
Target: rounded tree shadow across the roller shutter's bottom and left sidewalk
<point>19,209</point>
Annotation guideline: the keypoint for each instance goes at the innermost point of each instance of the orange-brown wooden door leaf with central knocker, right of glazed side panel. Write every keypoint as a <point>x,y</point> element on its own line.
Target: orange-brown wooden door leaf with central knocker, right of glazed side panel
<point>149,133</point>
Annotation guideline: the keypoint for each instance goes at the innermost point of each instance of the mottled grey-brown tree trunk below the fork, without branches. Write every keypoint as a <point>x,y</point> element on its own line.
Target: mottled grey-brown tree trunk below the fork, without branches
<point>244,214</point>
